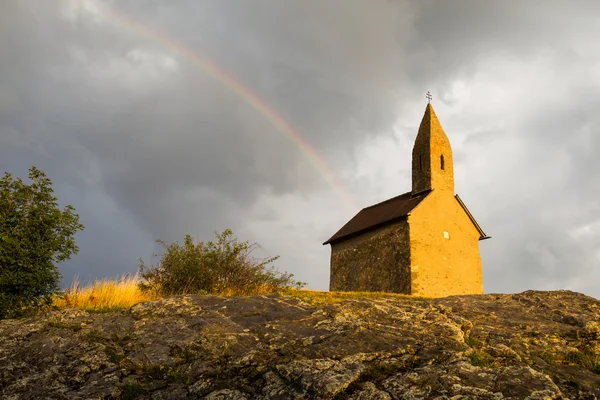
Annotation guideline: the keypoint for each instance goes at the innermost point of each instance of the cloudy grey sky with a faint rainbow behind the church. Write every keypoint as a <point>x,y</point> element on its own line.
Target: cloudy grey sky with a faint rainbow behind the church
<point>281,119</point>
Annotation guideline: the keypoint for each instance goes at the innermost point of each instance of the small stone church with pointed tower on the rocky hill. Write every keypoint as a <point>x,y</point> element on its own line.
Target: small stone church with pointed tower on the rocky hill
<point>424,242</point>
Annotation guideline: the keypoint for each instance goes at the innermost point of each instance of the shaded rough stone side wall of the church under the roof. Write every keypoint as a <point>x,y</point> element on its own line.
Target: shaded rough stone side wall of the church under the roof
<point>376,261</point>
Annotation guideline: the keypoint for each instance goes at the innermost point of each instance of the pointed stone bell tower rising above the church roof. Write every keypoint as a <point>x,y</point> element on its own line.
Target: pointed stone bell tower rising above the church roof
<point>432,166</point>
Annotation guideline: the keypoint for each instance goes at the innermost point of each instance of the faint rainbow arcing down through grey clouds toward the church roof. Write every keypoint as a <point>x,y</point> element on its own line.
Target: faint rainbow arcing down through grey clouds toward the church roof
<point>239,89</point>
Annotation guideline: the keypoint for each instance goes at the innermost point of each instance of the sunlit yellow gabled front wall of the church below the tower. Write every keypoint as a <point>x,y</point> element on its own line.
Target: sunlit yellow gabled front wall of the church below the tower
<point>444,248</point>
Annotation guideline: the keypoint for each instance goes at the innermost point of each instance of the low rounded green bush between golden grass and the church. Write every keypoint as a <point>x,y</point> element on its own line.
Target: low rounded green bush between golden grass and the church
<point>221,267</point>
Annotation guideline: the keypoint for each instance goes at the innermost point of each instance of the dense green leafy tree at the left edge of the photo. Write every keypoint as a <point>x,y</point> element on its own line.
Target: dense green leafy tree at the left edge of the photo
<point>34,236</point>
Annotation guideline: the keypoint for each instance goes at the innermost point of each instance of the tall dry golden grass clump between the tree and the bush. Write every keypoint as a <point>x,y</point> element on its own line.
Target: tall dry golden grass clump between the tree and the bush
<point>104,295</point>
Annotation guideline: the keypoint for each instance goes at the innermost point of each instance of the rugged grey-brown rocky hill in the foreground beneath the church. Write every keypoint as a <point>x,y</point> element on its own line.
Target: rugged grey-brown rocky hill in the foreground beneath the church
<point>535,345</point>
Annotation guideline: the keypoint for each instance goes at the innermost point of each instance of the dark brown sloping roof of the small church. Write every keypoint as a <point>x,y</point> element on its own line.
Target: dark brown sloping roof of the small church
<point>379,214</point>
